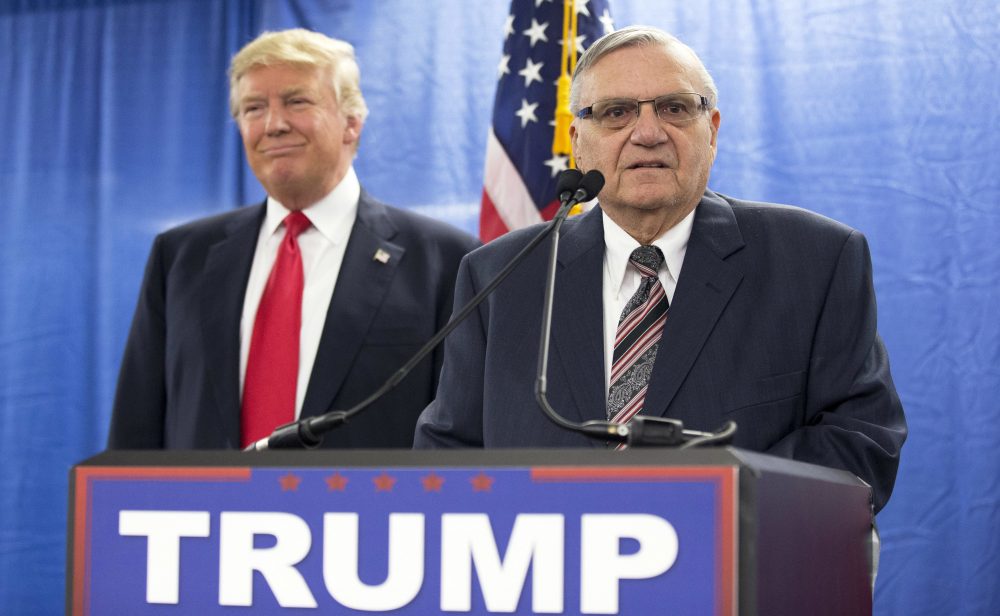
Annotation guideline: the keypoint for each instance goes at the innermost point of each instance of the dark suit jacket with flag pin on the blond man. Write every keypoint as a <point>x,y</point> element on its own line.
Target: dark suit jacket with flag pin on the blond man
<point>179,381</point>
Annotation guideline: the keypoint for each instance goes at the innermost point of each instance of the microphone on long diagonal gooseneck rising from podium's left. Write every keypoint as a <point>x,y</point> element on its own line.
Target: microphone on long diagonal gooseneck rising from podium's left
<point>307,433</point>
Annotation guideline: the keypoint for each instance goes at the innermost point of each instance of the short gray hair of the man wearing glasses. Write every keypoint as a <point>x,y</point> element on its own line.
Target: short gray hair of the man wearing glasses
<point>639,36</point>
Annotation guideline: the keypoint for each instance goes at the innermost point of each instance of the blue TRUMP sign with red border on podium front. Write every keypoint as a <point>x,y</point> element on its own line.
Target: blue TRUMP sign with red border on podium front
<point>404,538</point>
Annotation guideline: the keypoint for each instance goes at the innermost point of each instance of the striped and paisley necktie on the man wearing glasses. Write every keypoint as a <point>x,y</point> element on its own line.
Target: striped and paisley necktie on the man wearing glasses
<point>638,338</point>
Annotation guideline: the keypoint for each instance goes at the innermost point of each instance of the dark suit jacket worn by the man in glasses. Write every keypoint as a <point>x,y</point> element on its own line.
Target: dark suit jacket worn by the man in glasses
<point>772,325</point>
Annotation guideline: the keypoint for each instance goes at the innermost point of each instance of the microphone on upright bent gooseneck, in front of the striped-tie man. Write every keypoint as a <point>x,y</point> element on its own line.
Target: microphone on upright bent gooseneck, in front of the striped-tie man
<point>641,430</point>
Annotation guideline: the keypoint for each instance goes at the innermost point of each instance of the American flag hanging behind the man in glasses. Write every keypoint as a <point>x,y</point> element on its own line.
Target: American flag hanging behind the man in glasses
<point>521,167</point>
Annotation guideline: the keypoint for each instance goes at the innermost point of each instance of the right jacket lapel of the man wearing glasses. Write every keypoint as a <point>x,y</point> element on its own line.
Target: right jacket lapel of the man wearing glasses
<point>706,284</point>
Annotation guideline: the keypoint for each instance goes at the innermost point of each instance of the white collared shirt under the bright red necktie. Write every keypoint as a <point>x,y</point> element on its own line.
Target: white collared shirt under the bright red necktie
<point>322,246</point>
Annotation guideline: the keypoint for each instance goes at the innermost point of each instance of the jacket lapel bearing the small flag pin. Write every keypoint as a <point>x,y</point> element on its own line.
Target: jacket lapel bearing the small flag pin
<point>361,286</point>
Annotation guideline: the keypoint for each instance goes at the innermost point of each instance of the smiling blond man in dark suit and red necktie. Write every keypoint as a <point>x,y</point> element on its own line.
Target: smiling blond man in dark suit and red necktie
<point>253,318</point>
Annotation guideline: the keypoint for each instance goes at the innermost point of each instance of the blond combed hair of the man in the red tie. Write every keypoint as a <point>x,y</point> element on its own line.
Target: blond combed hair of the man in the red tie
<point>301,47</point>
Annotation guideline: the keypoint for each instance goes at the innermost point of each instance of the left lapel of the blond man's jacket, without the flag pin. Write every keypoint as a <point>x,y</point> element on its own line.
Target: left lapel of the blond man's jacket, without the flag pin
<point>227,268</point>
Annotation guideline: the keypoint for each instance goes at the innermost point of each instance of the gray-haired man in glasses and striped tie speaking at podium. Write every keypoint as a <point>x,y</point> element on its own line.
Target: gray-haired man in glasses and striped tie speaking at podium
<point>672,300</point>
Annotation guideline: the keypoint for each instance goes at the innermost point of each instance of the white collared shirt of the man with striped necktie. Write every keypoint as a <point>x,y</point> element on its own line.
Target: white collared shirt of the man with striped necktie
<point>622,281</point>
